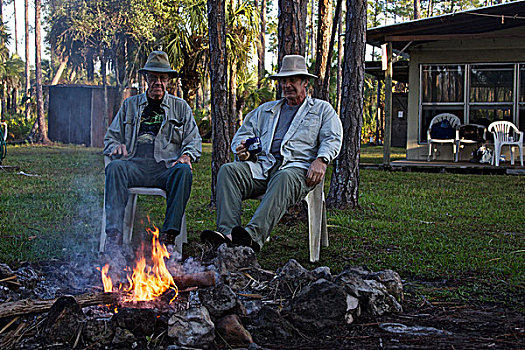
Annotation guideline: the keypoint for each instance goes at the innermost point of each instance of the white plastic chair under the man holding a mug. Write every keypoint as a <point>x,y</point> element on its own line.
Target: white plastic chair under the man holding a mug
<point>317,227</point>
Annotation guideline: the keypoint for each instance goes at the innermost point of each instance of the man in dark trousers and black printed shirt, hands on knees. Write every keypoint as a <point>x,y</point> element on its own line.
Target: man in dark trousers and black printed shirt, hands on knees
<point>153,141</point>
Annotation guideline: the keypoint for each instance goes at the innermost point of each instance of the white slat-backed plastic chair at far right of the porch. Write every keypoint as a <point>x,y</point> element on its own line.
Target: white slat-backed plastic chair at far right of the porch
<point>506,133</point>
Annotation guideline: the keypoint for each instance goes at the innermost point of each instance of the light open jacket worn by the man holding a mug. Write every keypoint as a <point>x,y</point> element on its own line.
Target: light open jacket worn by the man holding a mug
<point>315,131</point>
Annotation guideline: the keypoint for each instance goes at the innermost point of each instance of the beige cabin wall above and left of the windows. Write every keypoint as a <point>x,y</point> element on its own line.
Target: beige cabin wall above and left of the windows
<point>499,50</point>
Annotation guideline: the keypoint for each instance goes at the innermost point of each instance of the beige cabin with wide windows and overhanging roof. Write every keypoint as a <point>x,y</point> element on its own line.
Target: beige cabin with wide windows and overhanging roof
<point>469,63</point>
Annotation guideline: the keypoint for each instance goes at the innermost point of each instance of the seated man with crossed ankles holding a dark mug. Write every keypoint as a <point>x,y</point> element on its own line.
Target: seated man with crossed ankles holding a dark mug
<point>298,137</point>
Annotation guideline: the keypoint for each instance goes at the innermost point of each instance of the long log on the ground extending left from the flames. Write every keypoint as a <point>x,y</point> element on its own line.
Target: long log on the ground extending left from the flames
<point>27,306</point>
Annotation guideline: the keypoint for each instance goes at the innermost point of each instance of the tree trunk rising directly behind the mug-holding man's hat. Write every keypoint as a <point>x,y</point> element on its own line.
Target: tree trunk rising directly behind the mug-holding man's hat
<point>291,30</point>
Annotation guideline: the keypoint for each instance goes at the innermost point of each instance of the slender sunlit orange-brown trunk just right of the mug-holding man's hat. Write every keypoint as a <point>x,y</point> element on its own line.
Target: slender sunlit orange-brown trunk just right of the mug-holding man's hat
<point>324,50</point>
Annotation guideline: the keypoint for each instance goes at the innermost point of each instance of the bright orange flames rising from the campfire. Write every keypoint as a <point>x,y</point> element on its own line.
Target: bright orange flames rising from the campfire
<point>147,282</point>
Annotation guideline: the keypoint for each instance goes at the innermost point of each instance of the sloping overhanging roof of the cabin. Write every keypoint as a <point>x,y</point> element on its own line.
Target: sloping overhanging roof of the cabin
<point>471,24</point>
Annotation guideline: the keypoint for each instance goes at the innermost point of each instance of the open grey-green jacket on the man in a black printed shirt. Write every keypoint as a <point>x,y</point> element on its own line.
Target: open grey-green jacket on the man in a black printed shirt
<point>178,133</point>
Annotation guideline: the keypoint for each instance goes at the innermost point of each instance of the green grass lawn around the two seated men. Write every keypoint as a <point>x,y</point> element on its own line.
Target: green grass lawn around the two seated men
<point>466,229</point>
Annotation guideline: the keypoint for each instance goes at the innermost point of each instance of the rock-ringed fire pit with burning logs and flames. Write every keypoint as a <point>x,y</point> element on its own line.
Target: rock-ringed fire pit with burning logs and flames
<point>226,300</point>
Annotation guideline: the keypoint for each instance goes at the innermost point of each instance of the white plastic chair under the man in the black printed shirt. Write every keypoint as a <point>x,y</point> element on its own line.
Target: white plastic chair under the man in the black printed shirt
<point>129,215</point>
